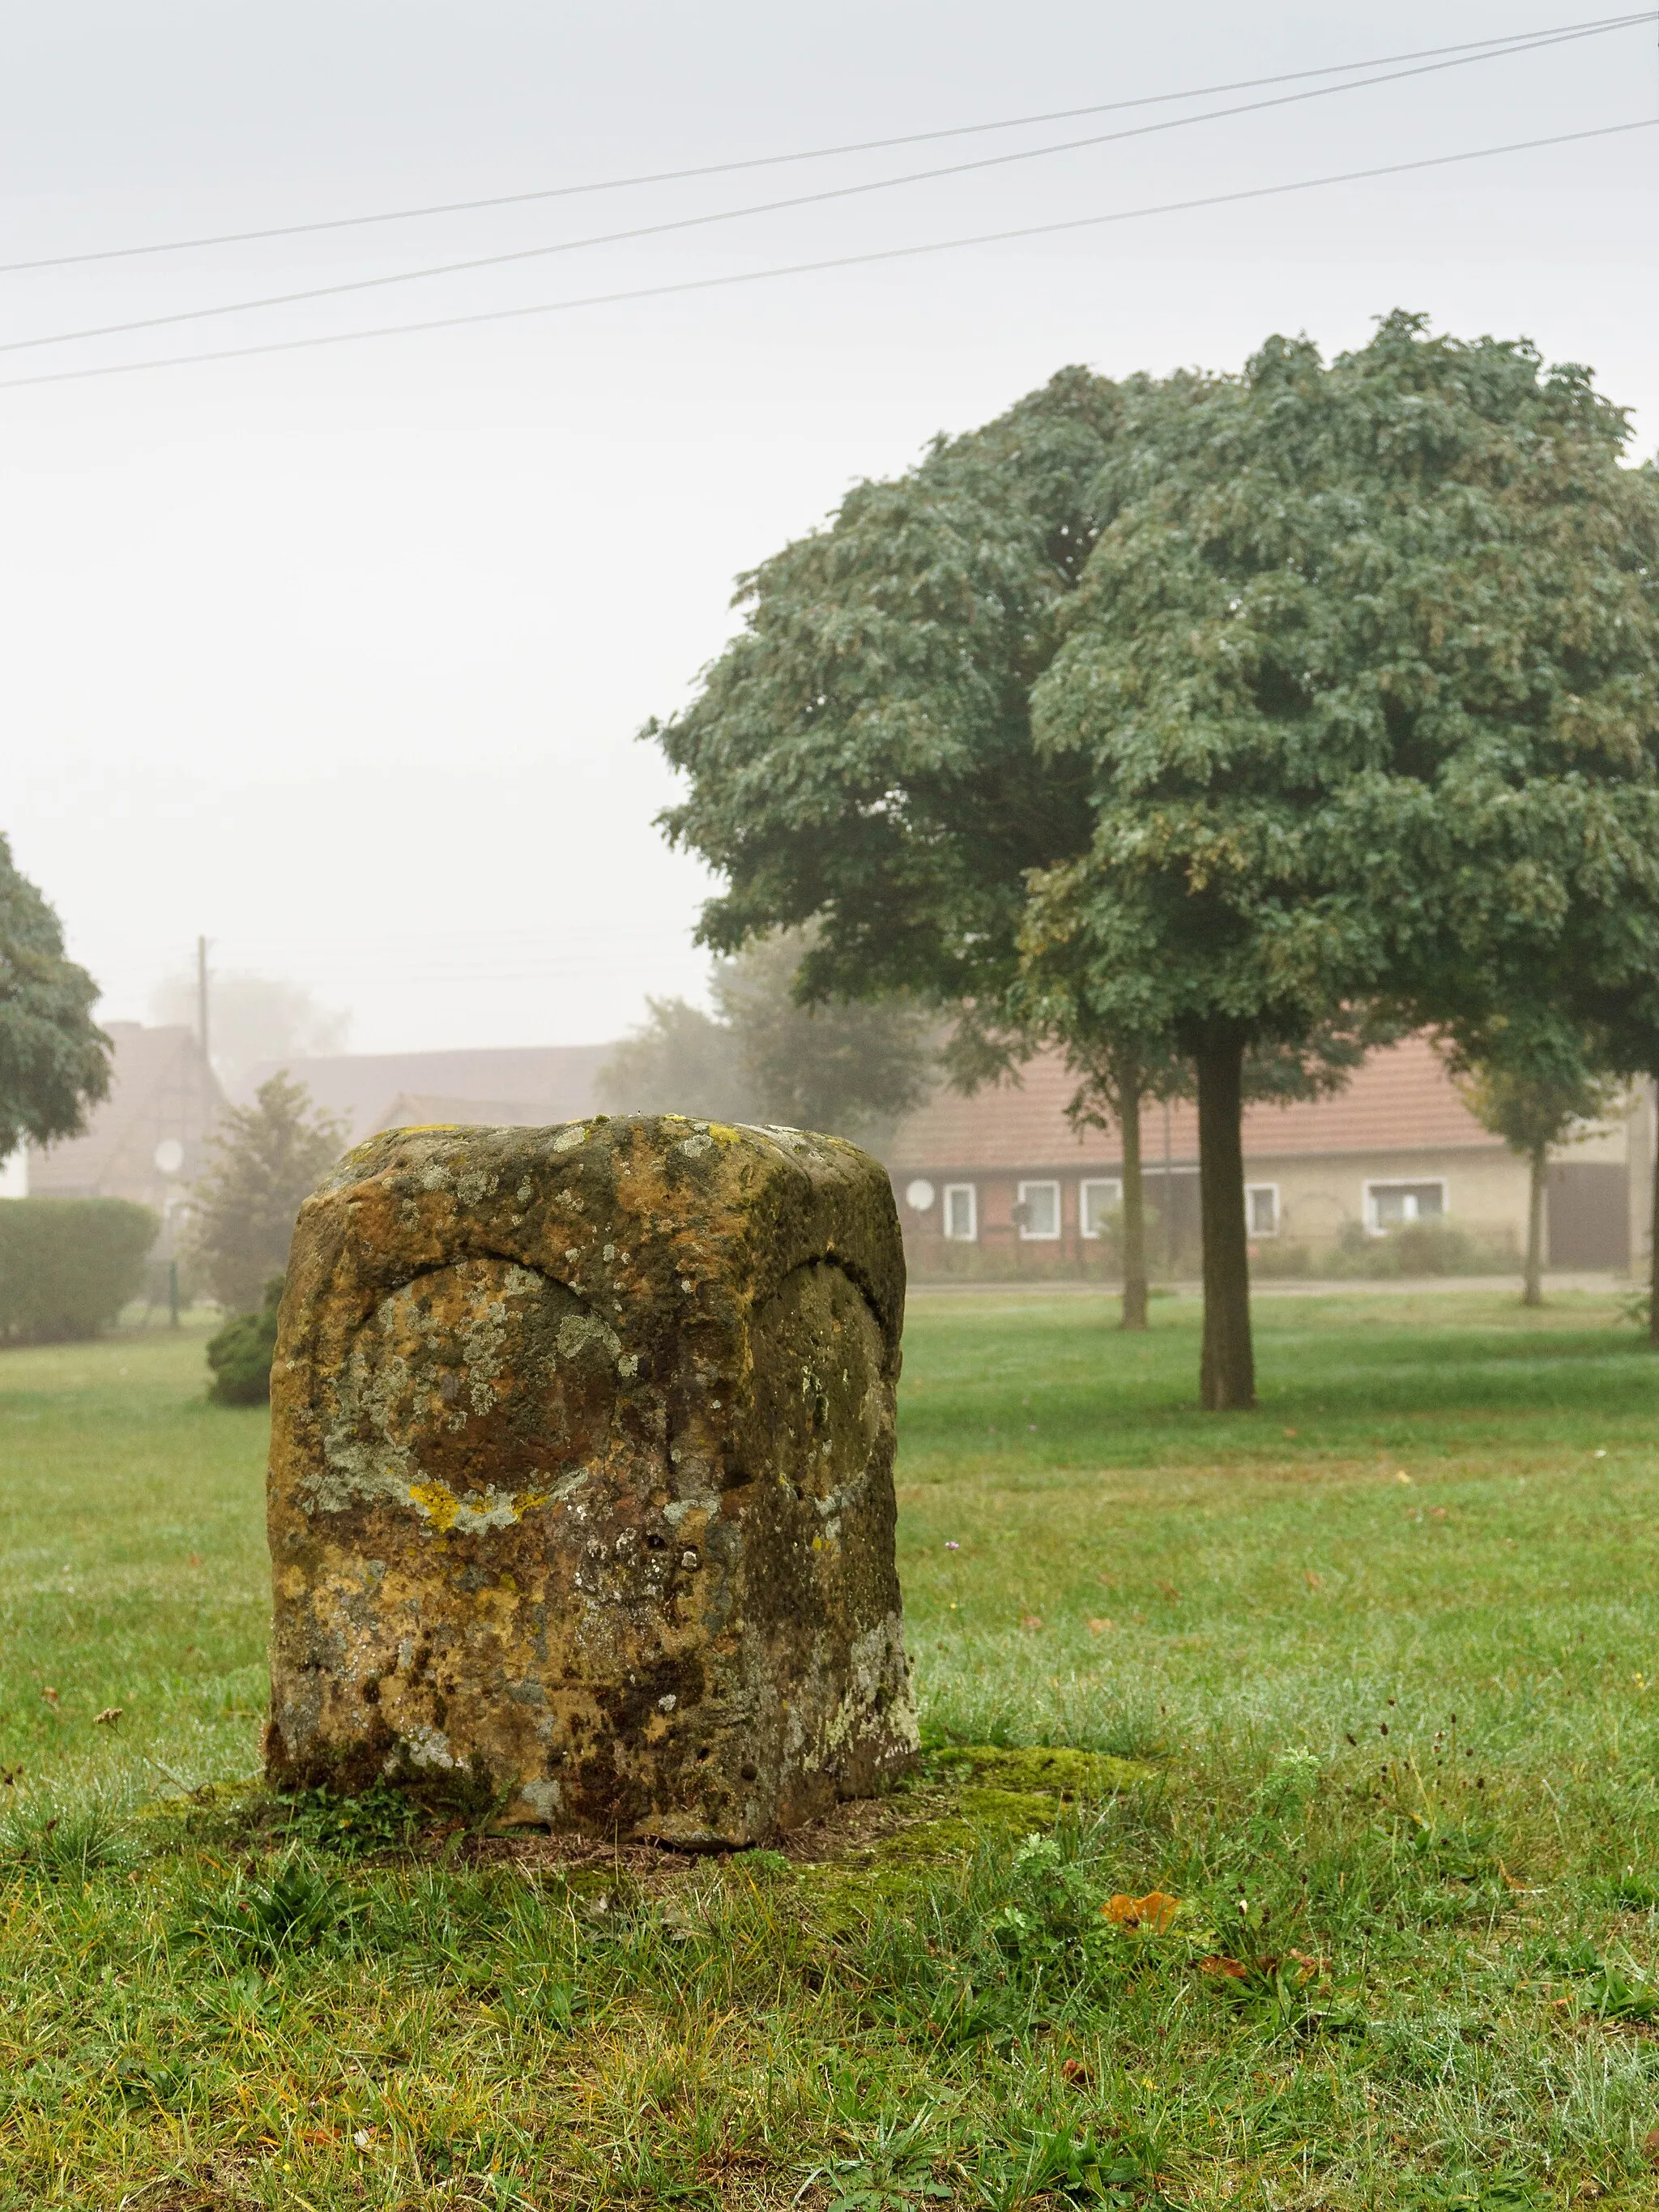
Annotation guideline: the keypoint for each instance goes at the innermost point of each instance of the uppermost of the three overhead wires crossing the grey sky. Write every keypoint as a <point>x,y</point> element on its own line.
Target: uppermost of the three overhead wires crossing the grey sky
<point>1481,48</point>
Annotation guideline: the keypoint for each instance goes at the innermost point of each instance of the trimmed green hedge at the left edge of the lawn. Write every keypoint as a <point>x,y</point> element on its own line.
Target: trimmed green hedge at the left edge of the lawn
<point>70,1266</point>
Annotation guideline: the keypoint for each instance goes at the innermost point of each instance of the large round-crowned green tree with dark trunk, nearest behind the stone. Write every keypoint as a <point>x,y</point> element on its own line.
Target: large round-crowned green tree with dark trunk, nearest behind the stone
<point>1361,676</point>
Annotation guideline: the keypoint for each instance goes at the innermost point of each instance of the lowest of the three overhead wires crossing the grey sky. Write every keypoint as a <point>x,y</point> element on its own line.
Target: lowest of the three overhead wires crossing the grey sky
<point>837,262</point>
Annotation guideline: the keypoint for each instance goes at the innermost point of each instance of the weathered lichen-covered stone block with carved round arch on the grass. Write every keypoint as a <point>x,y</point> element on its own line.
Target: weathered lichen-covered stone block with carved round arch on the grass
<point>581,1477</point>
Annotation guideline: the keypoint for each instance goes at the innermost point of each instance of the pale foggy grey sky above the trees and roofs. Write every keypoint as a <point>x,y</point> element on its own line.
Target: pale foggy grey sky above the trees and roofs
<point>340,656</point>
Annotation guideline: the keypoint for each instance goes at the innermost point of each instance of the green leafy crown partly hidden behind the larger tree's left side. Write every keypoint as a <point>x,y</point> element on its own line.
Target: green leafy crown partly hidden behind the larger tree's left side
<point>862,753</point>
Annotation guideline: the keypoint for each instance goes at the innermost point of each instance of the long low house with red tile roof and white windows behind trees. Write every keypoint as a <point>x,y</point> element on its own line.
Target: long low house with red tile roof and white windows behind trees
<point>1001,1185</point>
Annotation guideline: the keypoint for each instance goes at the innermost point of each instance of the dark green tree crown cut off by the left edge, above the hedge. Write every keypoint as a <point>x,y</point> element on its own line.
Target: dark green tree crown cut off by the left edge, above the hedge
<point>54,1061</point>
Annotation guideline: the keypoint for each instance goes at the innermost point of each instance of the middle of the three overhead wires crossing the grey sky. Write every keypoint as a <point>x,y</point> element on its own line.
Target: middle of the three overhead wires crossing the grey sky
<point>764,207</point>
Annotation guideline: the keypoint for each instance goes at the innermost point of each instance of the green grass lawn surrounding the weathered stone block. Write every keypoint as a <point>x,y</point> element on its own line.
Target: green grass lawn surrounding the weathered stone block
<point>1384,1656</point>
